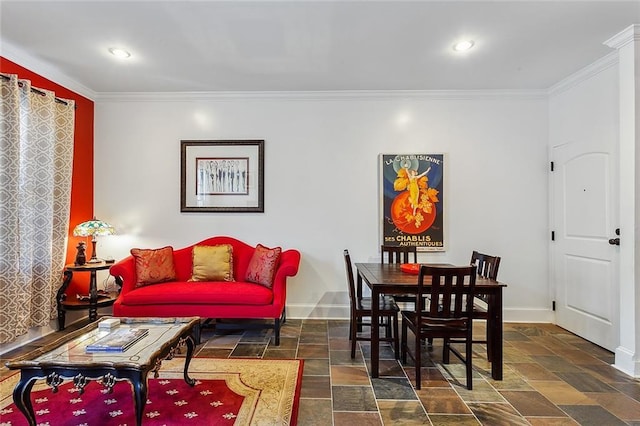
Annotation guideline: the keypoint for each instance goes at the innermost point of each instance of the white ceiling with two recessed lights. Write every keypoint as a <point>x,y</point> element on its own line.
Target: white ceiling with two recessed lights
<point>181,46</point>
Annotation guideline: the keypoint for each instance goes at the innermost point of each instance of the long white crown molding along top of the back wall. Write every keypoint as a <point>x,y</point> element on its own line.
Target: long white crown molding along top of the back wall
<point>342,95</point>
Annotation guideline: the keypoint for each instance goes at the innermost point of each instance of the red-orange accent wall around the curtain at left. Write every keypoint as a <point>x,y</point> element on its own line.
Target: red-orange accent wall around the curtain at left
<point>82,175</point>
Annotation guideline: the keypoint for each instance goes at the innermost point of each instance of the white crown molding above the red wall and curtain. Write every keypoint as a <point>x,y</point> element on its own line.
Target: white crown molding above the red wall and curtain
<point>20,57</point>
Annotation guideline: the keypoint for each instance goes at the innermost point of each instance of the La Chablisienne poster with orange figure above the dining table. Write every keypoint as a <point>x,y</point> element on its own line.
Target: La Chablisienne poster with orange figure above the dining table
<point>412,200</point>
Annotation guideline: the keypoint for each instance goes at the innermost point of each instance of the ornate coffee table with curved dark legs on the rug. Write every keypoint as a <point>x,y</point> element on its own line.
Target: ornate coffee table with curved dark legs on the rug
<point>66,358</point>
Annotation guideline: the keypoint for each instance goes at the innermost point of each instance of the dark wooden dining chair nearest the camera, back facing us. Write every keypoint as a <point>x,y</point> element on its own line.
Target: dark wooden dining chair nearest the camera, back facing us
<point>451,319</point>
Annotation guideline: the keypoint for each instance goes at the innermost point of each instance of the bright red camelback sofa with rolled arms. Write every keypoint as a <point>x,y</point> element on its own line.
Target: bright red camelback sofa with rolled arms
<point>209,300</point>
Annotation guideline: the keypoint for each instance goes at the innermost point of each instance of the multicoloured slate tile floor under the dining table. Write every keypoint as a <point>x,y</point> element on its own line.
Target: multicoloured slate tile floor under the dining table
<point>551,377</point>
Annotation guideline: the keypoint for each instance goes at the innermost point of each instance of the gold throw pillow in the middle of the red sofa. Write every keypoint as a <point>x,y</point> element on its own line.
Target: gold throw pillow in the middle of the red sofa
<point>212,263</point>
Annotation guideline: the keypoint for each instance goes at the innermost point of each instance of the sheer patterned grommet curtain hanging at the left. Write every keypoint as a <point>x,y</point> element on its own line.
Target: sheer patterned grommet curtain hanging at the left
<point>36,157</point>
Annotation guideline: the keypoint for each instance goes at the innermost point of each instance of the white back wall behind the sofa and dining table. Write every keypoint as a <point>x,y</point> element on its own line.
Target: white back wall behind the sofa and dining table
<point>321,181</point>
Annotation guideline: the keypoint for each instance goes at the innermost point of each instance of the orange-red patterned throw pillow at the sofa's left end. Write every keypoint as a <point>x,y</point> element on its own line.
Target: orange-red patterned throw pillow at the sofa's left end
<point>154,265</point>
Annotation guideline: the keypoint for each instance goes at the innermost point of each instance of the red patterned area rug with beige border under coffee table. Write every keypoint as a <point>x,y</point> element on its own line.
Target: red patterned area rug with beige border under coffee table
<point>227,392</point>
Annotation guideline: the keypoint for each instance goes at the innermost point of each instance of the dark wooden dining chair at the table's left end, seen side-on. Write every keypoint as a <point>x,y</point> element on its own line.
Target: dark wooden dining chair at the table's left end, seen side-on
<point>361,309</point>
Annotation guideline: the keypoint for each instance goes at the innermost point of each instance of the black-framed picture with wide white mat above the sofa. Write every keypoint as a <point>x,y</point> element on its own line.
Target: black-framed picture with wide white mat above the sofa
<point>222,176</point>
